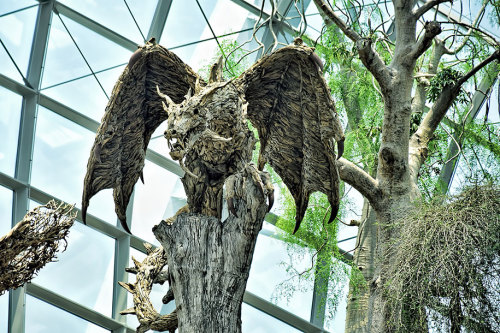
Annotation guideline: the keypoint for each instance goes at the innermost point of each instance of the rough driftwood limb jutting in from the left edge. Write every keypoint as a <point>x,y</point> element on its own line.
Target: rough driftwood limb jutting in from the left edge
<point>33,242</point>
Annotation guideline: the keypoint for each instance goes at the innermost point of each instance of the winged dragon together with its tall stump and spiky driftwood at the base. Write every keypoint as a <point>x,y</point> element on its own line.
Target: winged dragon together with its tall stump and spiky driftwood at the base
<point>285,97</point>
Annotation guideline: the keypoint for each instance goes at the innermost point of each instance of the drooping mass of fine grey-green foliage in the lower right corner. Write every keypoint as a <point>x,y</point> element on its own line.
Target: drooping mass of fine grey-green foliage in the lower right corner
<point>447,263</point>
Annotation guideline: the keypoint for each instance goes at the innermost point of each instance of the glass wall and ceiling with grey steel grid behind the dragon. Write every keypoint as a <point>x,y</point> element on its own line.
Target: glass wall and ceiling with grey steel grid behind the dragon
<point>59,61</point>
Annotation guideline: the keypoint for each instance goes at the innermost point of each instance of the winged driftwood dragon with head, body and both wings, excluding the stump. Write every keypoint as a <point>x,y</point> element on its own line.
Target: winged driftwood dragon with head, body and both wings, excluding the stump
<point>284,95</point>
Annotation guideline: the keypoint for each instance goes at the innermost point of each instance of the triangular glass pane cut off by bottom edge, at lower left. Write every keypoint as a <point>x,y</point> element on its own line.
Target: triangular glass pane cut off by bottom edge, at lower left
<point>42,317</point>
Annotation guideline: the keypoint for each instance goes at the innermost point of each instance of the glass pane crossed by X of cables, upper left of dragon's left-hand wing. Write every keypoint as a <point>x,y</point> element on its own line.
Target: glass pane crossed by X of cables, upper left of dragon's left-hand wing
<point>68,79</point>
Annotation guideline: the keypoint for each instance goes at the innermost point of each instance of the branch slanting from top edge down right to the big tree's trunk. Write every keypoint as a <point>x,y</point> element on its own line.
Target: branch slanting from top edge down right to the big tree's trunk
<point>370,58</point>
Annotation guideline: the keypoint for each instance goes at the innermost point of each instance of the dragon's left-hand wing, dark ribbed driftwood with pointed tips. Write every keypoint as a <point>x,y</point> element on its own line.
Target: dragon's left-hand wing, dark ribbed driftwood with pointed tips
<point>133,113</point>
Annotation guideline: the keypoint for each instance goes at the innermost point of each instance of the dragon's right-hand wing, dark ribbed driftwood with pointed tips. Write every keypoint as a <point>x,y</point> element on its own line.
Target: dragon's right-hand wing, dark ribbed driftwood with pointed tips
<point>290,105</point>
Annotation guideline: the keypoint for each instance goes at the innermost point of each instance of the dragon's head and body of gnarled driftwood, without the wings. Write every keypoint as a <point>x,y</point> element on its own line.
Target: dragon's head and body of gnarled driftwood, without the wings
<point>212,141</point>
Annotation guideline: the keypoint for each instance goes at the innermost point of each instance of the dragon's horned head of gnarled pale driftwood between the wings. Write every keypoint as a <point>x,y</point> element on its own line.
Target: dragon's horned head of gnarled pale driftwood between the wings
<point>209,126</point>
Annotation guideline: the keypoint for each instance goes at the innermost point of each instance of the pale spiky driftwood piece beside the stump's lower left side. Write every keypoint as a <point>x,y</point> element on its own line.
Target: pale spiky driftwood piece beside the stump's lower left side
<point>150,270</point>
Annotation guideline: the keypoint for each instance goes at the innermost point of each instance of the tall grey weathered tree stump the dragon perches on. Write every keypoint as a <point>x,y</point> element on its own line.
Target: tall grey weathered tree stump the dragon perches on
<point>209,259</point>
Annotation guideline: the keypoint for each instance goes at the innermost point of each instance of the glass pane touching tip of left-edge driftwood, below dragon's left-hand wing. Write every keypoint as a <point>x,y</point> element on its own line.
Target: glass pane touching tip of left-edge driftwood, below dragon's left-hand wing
<point>84,272</point>
